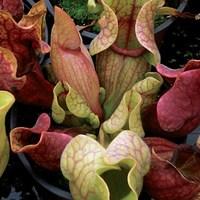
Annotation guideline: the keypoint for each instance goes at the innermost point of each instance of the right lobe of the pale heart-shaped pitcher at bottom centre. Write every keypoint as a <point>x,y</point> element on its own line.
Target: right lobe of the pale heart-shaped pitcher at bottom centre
<point>124,151</point>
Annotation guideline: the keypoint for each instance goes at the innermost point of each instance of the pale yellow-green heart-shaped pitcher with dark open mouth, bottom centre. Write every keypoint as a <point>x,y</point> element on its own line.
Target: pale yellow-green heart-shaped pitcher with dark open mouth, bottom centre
<point>95,172</point>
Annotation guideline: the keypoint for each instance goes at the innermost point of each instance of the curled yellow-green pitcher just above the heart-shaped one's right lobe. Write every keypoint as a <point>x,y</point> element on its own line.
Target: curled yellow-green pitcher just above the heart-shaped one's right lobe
<point>128,113</point>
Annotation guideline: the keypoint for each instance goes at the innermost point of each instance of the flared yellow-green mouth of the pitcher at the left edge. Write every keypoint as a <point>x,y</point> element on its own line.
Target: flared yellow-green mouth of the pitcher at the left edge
<point>6,99</point>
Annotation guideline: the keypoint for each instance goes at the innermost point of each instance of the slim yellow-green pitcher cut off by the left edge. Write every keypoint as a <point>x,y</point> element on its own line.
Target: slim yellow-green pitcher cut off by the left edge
<point>6,101</point>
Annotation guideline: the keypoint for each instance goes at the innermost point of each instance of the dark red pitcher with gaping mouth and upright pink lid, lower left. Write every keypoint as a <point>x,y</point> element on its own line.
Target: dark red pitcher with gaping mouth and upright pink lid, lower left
<point>43,146</point>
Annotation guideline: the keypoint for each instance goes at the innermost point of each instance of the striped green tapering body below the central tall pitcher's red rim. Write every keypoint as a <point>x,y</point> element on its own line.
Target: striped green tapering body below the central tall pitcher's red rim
<point>117,74</point>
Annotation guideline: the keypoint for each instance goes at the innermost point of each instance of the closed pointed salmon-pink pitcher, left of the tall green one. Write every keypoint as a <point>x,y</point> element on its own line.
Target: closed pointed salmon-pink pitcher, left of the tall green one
<point>72,62</point>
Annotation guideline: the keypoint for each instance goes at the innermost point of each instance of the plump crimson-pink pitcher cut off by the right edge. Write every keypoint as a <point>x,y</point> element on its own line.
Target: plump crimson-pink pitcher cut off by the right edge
<point>177,112</point>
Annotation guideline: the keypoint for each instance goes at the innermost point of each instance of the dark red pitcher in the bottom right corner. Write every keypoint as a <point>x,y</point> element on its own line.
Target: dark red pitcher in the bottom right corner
<point>164,181</point>
